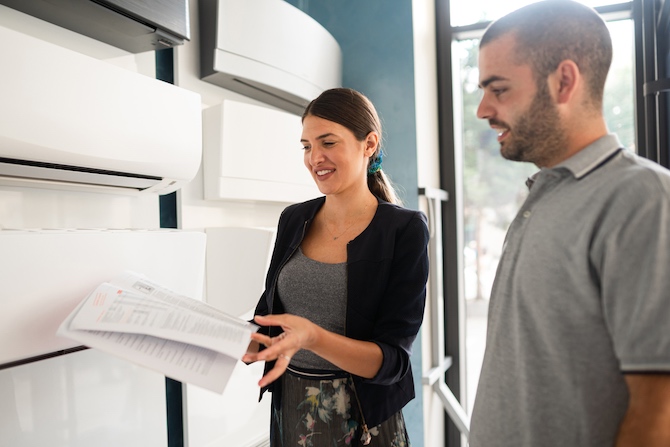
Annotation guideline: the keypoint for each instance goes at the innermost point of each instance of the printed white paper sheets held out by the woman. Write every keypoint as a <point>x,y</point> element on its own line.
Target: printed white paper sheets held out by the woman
<point>185,339</point>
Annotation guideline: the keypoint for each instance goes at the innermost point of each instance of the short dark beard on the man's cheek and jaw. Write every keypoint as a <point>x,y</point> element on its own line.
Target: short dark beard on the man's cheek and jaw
<point>537,135</point>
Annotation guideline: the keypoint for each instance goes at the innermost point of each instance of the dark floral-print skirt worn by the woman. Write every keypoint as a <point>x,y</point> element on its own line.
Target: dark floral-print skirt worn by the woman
<point>323,411</point>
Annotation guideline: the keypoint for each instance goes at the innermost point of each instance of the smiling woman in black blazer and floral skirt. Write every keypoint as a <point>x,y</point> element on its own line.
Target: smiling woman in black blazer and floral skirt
<point>345,291</point>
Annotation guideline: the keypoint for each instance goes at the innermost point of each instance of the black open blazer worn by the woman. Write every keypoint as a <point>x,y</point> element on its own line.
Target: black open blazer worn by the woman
<point>387,270</point>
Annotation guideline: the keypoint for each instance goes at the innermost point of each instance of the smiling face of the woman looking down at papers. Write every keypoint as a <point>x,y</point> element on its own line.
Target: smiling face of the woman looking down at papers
<point>336,160</point>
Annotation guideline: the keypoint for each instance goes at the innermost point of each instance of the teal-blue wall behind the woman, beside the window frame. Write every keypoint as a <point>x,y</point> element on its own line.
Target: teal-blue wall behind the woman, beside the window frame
<point>376,39</point>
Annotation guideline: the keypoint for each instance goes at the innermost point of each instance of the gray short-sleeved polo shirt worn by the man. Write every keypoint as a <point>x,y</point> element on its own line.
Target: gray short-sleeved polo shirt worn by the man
<point>582,294</point>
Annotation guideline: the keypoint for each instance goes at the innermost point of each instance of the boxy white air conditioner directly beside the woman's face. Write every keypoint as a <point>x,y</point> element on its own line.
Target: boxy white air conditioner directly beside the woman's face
<point>253,153</point>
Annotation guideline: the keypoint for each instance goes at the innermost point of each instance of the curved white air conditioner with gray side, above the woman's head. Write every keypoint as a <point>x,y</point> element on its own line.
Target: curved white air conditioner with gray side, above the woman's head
<point>268,50</point>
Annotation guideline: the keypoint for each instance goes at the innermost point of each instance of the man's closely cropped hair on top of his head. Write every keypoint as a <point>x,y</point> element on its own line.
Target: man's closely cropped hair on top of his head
<point>551,31</point>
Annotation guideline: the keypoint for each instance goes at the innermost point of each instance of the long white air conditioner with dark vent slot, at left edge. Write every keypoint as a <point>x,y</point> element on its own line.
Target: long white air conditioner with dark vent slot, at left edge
<point>69,120</point>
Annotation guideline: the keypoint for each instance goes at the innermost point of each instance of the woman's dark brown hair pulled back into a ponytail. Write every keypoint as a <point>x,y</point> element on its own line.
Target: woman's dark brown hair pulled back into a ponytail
<point>354,111</point>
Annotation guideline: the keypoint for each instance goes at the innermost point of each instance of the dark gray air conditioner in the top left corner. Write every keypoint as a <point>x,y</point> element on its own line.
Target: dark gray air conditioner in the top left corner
<point>133,25</point>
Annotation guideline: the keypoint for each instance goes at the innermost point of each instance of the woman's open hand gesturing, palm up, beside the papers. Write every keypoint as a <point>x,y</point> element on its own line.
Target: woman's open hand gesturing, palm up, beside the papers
<point>299,333</point>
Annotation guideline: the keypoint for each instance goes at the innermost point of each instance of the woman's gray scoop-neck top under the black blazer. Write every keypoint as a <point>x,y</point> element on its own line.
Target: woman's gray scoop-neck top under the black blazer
<point>318,292</point>
